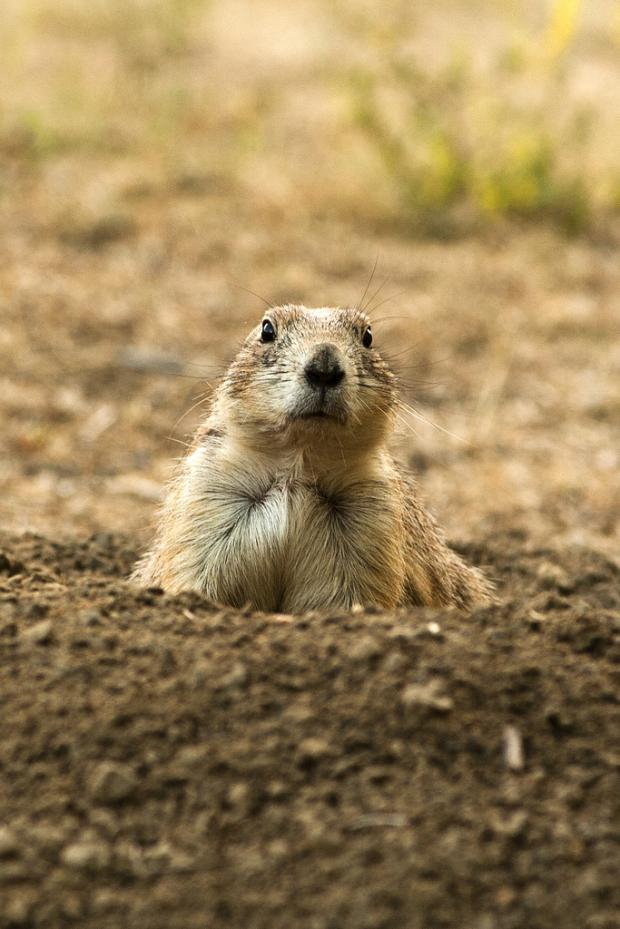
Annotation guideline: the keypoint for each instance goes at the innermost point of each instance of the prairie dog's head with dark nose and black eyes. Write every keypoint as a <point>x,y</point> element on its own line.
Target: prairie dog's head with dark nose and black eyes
<point>311,375</point>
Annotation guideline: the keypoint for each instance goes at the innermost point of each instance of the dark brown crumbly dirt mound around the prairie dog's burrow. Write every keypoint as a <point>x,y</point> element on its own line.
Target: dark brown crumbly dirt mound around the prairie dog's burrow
<point>167,764</point>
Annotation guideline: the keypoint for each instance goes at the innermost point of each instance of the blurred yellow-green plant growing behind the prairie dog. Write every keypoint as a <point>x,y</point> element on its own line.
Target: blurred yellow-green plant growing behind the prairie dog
<point>455,141</point>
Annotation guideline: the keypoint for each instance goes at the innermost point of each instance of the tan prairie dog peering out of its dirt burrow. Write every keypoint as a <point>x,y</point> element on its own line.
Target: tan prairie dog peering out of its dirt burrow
<point>288,499</point>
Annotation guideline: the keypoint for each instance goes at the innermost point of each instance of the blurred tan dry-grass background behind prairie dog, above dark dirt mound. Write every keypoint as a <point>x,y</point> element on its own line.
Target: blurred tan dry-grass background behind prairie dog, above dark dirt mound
<point>161,158</point>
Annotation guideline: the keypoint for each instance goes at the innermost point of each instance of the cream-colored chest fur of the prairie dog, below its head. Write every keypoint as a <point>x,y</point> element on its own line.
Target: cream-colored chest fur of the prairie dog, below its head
<point>281,538</point>
